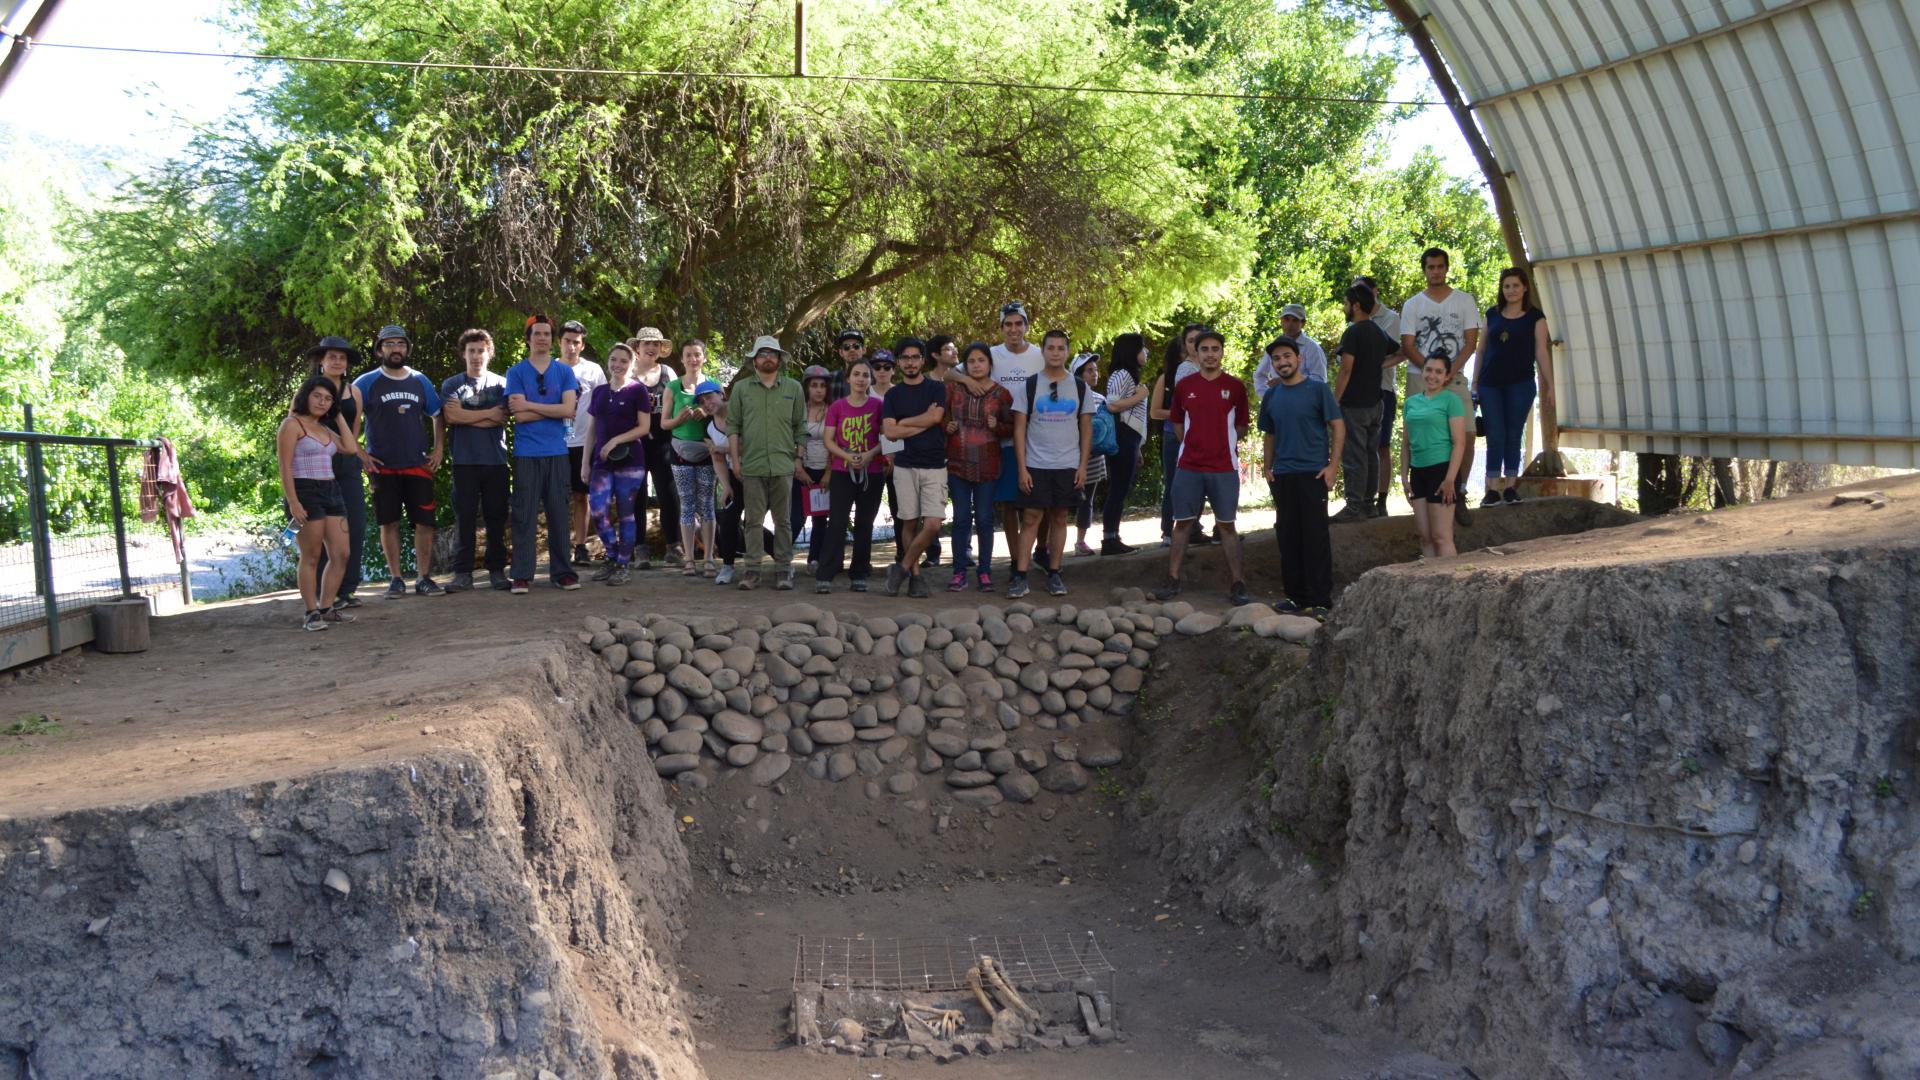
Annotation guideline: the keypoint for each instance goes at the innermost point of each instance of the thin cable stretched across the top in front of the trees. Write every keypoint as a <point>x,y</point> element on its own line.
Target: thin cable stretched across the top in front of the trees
<point>719,76</point>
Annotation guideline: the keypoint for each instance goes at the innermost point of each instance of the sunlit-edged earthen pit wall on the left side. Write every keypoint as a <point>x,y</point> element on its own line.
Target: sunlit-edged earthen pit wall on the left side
<point>504,904</point>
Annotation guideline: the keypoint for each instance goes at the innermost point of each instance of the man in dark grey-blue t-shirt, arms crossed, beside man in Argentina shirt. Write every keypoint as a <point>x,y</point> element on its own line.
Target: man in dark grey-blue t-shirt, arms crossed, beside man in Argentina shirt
<point>475,412</point>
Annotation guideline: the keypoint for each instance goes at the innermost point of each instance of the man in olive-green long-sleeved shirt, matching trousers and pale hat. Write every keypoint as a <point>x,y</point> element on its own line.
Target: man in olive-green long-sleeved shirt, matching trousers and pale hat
<point>767,426</point>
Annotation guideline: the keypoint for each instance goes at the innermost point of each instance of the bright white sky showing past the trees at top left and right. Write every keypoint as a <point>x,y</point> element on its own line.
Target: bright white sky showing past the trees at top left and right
<point>147,107</point>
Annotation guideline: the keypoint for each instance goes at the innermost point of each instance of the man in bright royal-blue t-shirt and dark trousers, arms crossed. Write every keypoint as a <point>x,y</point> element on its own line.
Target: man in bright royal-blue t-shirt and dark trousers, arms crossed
<point>540,399</point>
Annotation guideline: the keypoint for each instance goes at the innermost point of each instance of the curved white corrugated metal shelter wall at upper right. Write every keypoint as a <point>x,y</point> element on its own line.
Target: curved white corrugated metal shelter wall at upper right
<point>1721,207</point>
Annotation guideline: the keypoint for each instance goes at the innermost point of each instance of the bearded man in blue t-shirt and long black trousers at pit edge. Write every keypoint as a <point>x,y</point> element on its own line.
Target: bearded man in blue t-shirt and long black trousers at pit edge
<point>1305,433</point>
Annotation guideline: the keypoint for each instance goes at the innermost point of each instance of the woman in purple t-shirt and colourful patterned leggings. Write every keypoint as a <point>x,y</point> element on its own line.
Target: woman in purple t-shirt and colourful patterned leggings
<point>615,474</point>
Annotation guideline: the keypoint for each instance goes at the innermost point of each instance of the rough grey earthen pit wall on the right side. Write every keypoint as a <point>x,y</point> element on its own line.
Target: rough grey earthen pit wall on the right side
<point>1560,820</point>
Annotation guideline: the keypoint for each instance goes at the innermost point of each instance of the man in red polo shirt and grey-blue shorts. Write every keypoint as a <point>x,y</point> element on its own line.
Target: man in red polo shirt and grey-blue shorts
<point>1211,418</point>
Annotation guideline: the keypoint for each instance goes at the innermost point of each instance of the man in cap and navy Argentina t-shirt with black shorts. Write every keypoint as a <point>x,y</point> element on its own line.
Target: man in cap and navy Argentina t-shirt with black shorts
<point>404,443</point>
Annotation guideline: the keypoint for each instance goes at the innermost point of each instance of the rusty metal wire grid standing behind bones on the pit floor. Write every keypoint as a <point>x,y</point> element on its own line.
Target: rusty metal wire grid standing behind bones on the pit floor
<point>942,964</point>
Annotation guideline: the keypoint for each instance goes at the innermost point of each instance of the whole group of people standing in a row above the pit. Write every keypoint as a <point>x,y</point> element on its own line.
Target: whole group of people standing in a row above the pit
<point>1017,435</point>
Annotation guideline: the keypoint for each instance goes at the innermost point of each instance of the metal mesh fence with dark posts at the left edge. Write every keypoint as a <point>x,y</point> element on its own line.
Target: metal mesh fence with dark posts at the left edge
<point>72,537</point>
